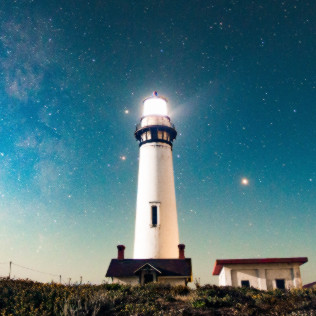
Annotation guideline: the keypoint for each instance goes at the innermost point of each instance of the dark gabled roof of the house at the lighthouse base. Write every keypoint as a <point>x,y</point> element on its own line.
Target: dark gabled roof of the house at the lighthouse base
<point>167,267</point>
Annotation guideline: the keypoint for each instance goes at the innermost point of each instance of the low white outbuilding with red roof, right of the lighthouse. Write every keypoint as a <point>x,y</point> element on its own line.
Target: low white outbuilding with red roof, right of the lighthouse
<point>263,274</point>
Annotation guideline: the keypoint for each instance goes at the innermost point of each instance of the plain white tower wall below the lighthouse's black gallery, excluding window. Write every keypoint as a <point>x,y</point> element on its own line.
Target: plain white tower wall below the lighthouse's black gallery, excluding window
<point>156,187</point>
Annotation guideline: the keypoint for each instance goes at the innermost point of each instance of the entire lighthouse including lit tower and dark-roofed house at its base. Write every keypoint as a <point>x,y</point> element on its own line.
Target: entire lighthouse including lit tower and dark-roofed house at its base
<point>158,256</point>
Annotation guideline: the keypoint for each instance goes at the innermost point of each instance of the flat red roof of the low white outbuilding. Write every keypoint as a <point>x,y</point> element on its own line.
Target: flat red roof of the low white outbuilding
<point>219,263</point>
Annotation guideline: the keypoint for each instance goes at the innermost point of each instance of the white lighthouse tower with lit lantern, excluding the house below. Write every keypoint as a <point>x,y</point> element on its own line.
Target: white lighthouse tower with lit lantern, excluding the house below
<point>156,229</point>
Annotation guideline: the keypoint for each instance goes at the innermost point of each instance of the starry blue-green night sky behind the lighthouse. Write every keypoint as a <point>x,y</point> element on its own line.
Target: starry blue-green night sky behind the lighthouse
<point>240,80</point>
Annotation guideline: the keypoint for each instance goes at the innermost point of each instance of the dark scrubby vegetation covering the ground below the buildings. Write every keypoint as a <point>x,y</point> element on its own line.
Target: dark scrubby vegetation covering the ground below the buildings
<point>24,297</point>
